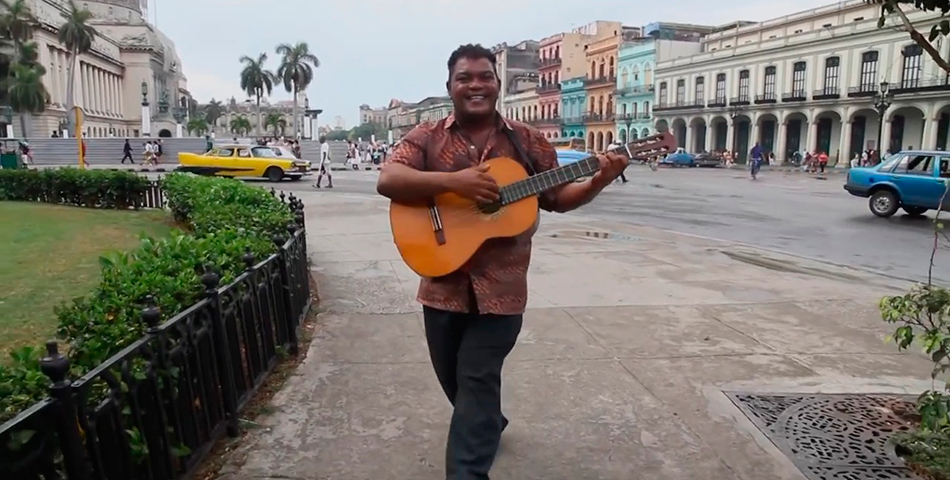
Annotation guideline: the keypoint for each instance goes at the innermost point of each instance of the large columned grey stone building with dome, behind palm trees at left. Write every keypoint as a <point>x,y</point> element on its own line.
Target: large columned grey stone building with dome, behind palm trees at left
<point>132,68</point>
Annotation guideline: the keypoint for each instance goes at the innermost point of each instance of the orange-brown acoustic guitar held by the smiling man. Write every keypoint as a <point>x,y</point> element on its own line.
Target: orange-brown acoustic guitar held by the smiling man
<point>438,236</point>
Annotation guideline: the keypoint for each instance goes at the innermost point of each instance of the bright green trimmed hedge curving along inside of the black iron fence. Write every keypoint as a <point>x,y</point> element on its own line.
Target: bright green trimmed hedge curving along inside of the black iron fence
<point>222,220</point>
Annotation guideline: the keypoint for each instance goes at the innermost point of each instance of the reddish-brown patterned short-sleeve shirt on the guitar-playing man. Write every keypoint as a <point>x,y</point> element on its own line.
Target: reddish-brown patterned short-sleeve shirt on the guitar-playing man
<point>495,280</point>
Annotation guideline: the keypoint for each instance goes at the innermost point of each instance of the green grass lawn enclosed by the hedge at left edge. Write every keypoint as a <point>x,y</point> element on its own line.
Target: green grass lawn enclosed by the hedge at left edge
<point>50,254</point>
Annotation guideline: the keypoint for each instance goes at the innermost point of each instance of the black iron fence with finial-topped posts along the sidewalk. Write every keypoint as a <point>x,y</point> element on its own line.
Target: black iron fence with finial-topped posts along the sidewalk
<point>154,410</point>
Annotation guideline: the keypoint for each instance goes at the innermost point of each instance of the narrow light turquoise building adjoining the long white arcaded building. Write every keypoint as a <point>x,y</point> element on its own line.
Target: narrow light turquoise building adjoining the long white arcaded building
<point>635,89</point>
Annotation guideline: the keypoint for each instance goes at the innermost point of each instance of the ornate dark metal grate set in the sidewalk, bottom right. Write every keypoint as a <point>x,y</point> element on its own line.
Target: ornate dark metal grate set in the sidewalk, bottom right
<point>833,437</point>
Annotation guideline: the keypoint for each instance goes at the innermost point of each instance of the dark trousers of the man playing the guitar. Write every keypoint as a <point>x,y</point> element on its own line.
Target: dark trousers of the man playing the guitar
<point>468,351</point>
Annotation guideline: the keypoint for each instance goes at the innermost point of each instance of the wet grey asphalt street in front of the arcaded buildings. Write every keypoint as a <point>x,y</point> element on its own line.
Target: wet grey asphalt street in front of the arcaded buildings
<point>785,212</point>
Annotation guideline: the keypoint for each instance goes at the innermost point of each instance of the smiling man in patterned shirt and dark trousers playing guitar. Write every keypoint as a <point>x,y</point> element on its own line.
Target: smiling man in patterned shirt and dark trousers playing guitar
<point>473,316</point>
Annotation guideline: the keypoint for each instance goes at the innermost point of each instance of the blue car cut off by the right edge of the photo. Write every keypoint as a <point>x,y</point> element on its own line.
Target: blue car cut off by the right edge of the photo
<point>914,181</point>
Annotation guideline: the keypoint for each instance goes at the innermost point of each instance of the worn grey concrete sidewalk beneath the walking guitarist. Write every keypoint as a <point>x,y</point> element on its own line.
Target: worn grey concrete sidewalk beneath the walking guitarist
<point>631,337</point>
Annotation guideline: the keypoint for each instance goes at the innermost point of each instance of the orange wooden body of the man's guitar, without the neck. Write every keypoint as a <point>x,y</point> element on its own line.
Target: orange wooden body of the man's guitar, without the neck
<point>464,227</point>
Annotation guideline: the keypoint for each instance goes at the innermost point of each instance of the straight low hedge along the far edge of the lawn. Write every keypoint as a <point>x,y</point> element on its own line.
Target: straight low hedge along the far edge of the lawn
<point>84,188</point>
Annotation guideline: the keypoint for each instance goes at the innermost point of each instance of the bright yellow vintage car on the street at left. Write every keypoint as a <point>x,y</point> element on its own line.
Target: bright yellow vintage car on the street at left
<point>245,161</point>
